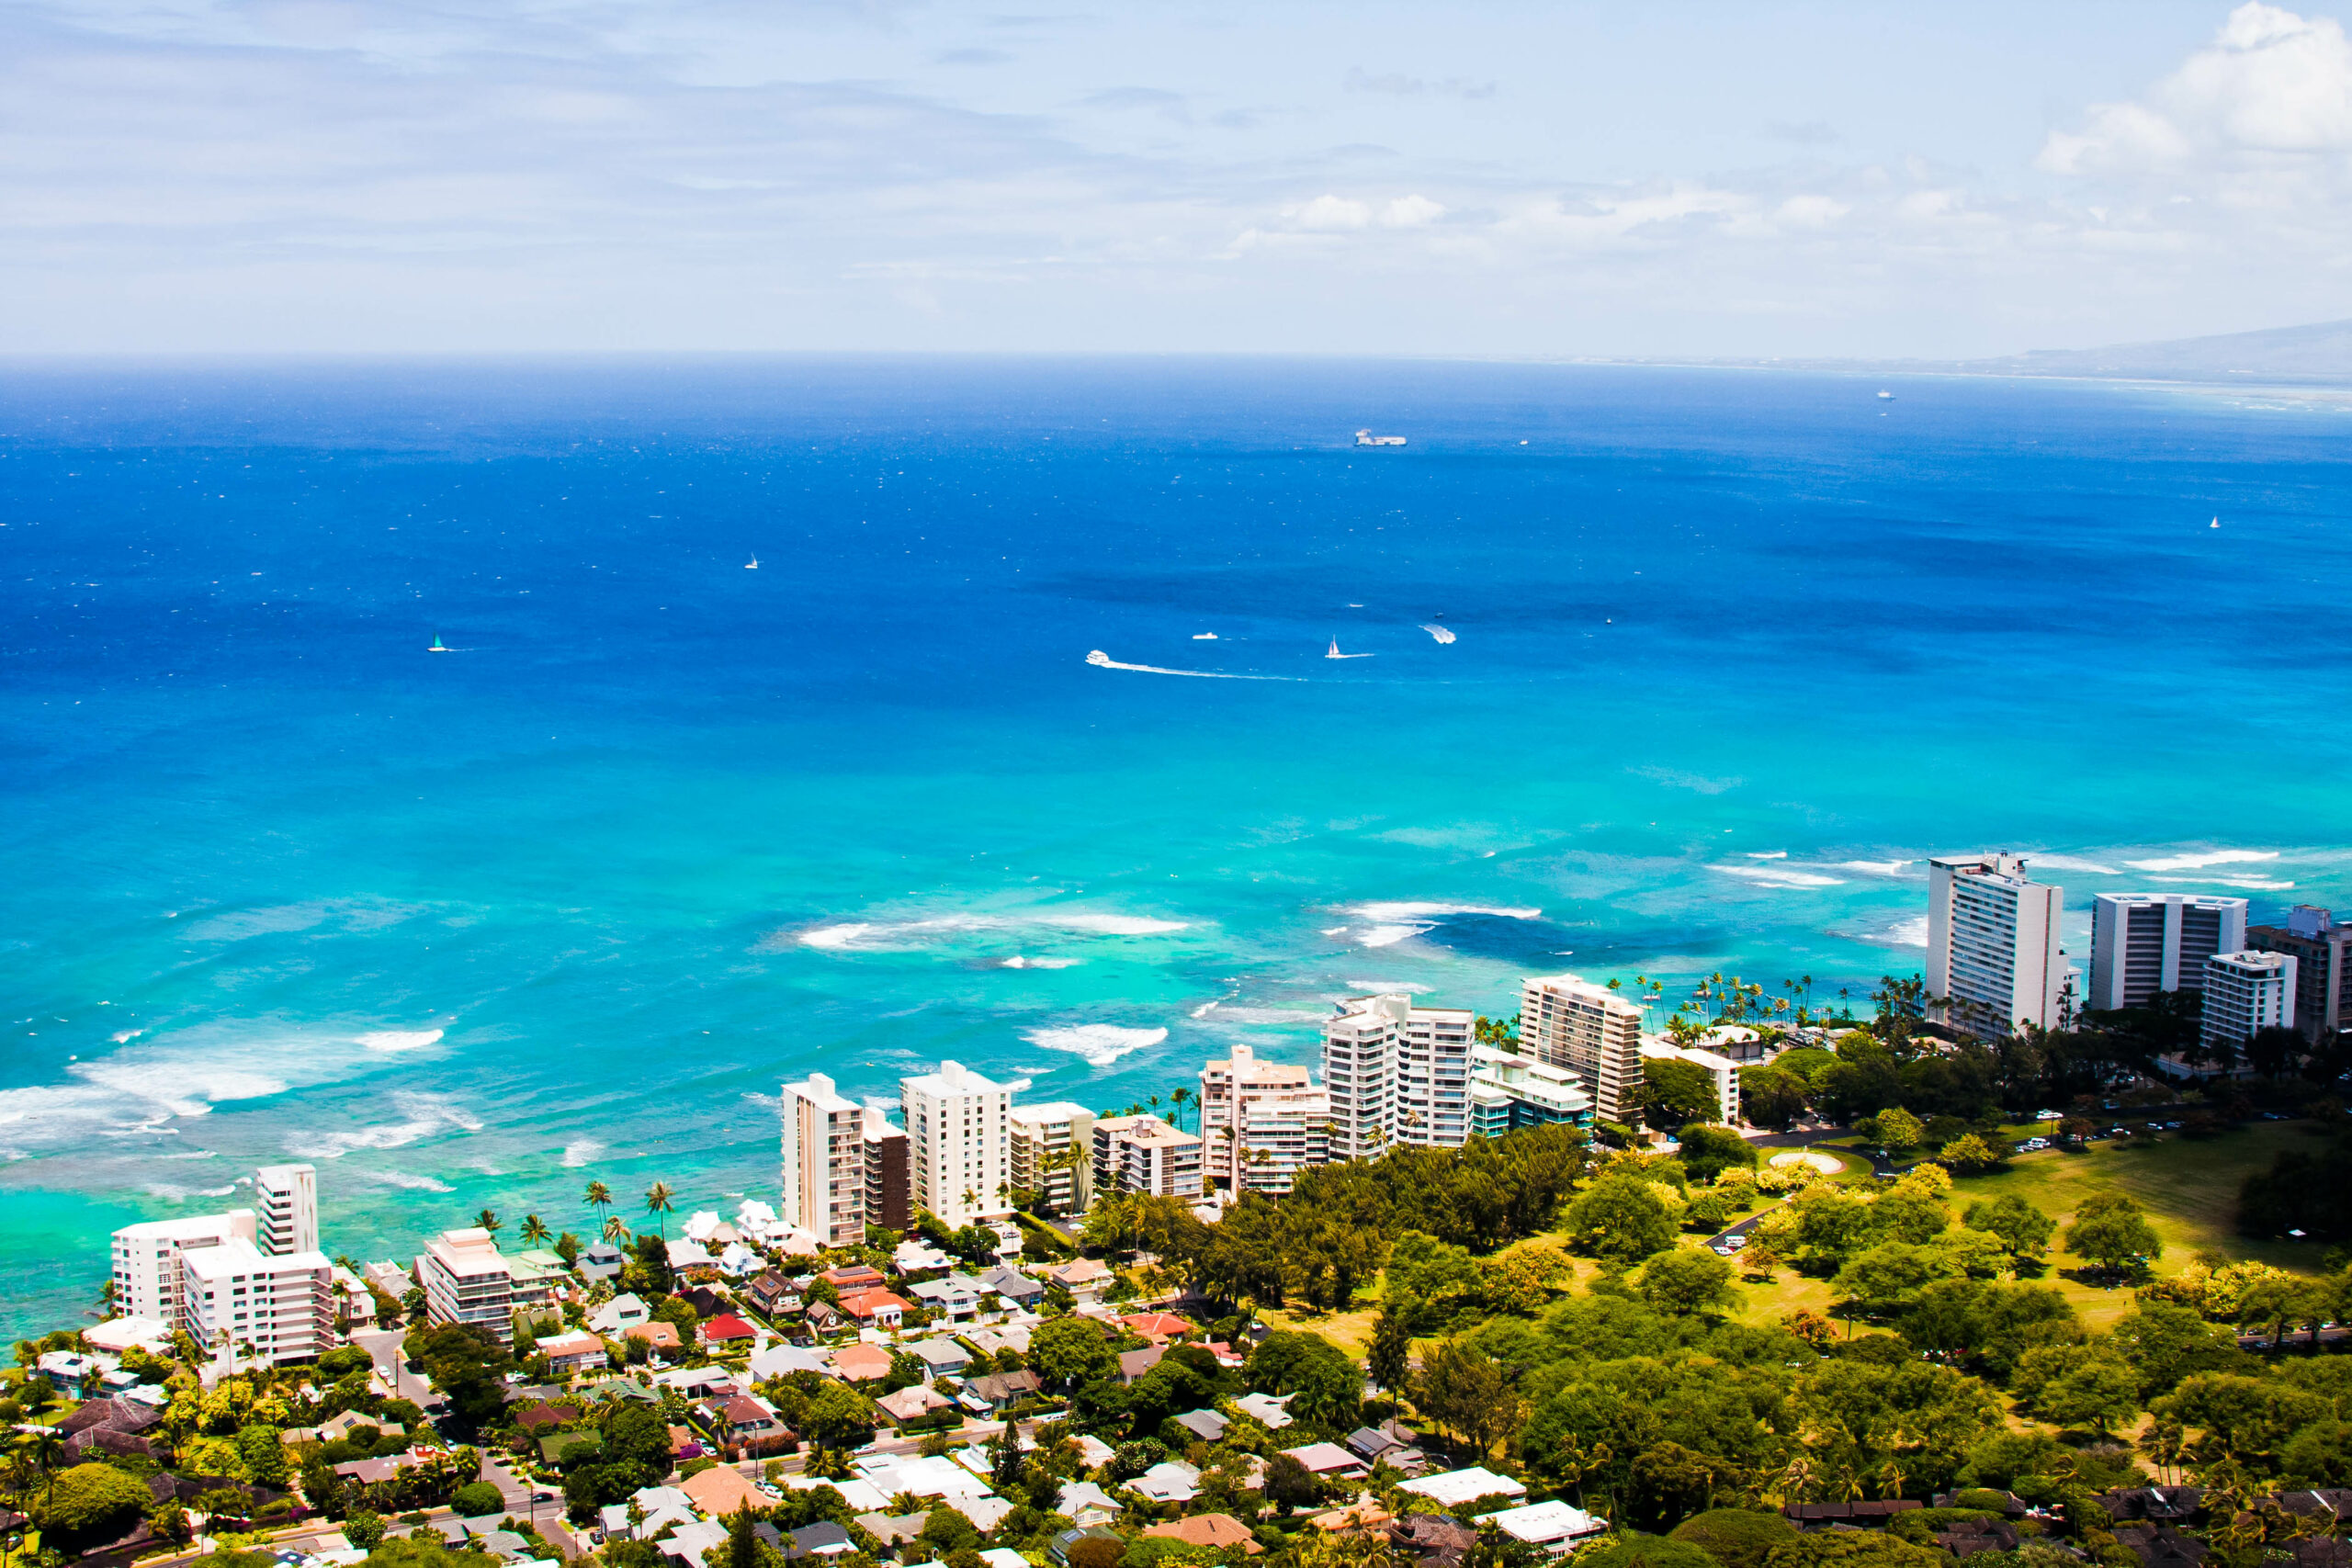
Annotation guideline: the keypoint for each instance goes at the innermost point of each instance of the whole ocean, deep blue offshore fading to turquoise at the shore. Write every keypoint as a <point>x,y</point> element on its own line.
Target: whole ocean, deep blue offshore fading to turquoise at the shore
<point>1735,655</point>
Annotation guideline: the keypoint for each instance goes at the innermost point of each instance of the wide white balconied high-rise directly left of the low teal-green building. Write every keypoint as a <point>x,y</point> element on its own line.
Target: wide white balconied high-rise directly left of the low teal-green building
<point>1396,1073</point>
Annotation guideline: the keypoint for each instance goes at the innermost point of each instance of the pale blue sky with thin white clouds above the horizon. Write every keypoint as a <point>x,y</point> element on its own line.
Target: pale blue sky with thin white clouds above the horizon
<point>1633,180</point>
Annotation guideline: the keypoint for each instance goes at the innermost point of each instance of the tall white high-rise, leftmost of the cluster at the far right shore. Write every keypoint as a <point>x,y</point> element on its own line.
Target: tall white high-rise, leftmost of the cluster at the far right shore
<point>1993,958</point>
